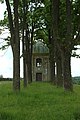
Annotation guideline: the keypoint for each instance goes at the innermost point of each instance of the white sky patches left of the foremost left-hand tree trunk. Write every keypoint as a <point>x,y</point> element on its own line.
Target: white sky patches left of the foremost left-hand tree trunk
<point>5,56</point>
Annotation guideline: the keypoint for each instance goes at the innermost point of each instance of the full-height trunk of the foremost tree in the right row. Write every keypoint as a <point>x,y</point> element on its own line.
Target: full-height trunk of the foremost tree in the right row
<point>67,50</point>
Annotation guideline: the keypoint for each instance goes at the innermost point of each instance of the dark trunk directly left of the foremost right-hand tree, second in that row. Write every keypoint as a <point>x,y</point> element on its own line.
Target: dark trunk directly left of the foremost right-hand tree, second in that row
<point>55,39</point>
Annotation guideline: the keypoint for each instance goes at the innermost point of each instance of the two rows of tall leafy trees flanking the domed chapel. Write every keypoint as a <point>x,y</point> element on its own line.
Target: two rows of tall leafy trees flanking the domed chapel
<point>56,22</point>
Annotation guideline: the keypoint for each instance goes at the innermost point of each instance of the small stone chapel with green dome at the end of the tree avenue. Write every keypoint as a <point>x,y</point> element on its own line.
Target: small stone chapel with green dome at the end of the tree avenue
<point>40,62</point>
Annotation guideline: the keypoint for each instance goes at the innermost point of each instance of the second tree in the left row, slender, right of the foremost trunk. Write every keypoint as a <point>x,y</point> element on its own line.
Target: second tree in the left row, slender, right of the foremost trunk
<point>24,40</point>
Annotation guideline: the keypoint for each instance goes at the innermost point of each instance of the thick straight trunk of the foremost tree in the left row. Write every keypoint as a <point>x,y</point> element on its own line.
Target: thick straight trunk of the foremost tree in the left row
<point>16,51</point>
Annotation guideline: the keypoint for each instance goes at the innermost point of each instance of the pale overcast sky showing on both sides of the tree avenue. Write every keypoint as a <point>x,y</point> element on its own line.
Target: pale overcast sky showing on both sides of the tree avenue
<point>6,57</point>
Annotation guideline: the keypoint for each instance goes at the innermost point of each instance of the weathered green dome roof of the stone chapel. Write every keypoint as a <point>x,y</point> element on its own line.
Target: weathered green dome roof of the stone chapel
<point>40,47</point>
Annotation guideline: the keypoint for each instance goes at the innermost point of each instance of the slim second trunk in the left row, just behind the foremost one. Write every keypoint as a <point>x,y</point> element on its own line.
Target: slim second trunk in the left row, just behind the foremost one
<point>24,39</point>
